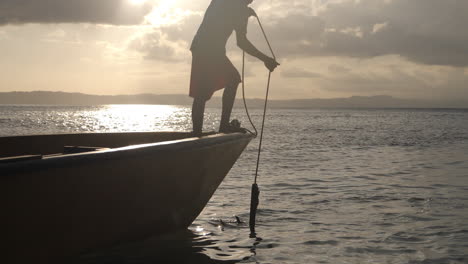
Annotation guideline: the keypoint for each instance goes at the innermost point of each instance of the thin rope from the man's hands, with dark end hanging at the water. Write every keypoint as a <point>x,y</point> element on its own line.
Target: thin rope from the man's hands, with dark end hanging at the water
<point>255,192</point>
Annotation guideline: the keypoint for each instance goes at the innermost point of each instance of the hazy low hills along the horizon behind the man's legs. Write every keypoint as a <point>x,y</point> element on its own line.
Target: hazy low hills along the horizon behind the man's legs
<point>63,98</point>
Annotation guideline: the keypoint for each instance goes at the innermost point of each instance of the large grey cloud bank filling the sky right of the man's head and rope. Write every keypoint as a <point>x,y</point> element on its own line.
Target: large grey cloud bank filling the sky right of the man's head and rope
<point>431,32</point>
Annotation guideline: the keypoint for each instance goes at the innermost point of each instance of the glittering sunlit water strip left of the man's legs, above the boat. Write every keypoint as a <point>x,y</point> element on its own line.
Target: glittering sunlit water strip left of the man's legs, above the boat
<point>27,120</point>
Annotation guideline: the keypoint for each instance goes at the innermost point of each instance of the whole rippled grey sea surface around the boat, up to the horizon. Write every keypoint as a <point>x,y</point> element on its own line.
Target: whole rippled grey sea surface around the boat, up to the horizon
<point>337,186</point>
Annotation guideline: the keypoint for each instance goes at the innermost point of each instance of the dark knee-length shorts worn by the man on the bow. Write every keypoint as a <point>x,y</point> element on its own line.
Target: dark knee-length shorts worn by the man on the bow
<point>211,72</point>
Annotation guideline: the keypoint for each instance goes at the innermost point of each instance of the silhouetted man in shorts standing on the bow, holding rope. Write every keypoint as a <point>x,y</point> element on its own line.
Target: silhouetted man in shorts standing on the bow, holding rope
<point>211,68</point>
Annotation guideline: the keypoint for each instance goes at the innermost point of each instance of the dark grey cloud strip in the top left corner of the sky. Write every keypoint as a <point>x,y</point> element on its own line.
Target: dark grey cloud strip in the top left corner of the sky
<point>115,12</point>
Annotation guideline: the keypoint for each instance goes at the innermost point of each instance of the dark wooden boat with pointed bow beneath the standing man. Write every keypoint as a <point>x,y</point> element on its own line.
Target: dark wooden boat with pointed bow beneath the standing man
<point>57,202</point>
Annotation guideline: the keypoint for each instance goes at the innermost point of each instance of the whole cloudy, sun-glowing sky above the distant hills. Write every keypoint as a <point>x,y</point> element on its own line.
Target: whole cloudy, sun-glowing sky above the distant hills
<point>327,48</point>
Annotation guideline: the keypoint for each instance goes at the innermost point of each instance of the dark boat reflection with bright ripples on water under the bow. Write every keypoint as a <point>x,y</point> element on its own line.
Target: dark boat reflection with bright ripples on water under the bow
<point>194,245</point>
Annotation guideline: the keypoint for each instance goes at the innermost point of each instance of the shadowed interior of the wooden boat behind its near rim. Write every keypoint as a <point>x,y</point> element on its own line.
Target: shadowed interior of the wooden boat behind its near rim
<point>21,148</point>
